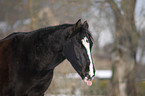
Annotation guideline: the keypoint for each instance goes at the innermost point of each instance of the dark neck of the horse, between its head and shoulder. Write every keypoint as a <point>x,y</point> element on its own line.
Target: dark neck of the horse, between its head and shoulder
<point>51,45</point>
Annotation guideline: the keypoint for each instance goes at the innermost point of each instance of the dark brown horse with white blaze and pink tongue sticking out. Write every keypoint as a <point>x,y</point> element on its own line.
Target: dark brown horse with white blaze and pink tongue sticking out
<point>28,59</point>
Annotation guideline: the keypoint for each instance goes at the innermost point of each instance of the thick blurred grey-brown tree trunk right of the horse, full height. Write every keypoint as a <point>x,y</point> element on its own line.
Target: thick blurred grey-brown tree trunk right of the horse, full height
<point>123,81</point>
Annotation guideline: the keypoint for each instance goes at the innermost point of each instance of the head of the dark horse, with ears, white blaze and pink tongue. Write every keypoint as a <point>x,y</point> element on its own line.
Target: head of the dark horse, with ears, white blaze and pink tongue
<point>77,50</point>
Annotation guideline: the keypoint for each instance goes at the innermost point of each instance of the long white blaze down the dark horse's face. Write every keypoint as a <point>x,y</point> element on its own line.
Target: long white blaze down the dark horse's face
<point>86,44</point>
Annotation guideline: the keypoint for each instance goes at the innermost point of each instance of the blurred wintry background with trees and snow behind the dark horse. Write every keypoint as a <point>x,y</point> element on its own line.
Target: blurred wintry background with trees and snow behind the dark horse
<point>118,29</point>
